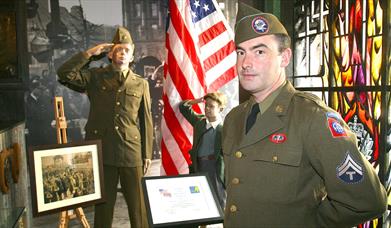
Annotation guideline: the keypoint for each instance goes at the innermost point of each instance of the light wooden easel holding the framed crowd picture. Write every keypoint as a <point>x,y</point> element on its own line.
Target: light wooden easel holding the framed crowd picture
<point>61,125</point>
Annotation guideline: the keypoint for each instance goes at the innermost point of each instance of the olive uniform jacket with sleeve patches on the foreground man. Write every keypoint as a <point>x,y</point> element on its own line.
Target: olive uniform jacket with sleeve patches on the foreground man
<point>298,166</point>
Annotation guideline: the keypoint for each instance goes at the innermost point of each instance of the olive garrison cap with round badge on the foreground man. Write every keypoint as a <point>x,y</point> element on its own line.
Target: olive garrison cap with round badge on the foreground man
<point>252,23</point>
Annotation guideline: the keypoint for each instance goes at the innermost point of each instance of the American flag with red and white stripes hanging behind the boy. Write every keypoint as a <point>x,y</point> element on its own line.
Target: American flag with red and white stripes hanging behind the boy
<point>200,58</point>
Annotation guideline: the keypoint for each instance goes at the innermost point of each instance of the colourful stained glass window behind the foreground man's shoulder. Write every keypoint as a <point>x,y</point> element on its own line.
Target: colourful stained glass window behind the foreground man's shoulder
<point>339,56</point>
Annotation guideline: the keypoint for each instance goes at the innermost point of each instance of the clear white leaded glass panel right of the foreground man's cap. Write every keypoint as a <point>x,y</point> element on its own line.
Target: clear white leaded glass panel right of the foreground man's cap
<point>311,50</point>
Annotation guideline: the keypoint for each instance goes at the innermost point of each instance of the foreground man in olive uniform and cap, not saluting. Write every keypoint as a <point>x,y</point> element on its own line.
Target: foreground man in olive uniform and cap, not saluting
<point>290,160</point>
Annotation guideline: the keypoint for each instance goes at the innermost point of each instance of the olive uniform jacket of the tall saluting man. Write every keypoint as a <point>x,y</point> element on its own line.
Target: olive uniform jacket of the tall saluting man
<point>120,111</point>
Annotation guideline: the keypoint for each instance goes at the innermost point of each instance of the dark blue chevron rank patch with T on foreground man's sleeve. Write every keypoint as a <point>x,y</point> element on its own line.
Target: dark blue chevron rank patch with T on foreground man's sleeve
<point>350,171</point>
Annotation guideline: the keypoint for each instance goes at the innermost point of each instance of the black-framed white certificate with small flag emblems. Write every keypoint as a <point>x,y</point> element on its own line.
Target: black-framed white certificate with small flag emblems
<point>181,201</point>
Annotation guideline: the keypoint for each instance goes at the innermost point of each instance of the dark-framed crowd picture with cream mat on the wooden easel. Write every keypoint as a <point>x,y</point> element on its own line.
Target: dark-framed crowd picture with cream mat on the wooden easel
<point>66,176</point>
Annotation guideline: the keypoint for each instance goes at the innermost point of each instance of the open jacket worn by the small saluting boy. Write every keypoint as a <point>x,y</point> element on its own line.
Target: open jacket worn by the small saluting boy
<point>198,121</point>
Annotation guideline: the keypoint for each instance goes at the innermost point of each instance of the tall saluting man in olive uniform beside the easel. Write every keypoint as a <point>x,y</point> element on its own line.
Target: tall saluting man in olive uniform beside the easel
<point>120,115</point>
